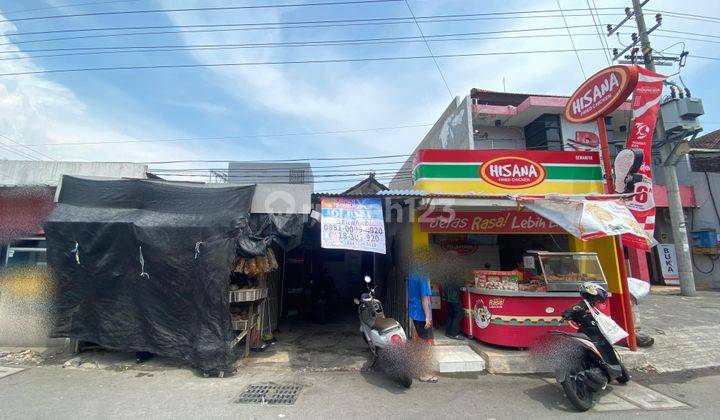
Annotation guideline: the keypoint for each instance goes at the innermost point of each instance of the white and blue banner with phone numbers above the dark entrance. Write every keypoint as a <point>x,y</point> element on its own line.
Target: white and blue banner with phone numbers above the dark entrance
<point>352,223</point>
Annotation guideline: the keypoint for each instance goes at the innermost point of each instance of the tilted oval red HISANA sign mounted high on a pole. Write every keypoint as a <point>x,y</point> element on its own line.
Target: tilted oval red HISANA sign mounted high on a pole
<point>601,94</point>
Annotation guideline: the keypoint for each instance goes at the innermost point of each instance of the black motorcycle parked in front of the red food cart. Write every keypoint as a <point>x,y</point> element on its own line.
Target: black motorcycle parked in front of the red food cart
<point>598,363</point>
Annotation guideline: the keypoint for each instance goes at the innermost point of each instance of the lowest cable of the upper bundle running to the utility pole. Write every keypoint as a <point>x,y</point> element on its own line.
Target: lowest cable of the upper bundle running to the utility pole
<point>284,62</point>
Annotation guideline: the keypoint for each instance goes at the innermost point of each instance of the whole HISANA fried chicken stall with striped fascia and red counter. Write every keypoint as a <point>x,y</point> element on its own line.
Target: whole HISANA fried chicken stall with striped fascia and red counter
<point>491,221</point>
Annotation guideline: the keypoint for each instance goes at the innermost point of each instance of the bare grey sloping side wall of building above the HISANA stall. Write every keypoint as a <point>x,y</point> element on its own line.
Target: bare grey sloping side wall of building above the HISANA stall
<point>453,130</point>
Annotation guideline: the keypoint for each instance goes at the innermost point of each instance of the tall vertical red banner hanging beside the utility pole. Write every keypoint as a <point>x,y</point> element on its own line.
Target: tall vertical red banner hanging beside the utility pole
<point>647,96</point>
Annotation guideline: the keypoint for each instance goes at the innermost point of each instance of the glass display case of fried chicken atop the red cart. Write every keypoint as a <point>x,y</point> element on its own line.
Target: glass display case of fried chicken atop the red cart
<point>566,271</point>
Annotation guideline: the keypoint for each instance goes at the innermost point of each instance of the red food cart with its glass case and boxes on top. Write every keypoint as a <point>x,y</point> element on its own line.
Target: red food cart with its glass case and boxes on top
<point>515,308</point>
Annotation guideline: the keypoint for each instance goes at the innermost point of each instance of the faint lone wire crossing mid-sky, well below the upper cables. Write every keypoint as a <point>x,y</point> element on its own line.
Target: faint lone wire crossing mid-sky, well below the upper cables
<point>222,138</point>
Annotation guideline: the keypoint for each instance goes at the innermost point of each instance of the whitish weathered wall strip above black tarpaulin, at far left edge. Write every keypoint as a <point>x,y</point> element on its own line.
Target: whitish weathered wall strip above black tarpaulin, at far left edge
<point>20,172</point>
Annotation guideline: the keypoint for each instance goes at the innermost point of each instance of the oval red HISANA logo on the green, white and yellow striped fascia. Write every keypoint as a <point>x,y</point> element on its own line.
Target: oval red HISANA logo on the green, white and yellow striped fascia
<point>512,172</point>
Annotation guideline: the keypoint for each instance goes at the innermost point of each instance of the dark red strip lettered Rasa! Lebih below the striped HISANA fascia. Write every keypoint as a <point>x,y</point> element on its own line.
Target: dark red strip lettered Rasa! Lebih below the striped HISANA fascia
<point>508,221</point>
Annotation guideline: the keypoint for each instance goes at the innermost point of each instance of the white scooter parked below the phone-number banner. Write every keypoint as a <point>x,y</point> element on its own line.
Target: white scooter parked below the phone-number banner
<point>381,334</point>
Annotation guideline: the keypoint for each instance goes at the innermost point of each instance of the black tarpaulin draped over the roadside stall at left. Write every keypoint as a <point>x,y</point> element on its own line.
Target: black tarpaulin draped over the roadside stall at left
<point>144,265</point>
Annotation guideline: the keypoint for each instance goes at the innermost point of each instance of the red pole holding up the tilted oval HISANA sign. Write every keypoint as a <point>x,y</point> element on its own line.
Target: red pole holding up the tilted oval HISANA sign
<point>625,303</point>
